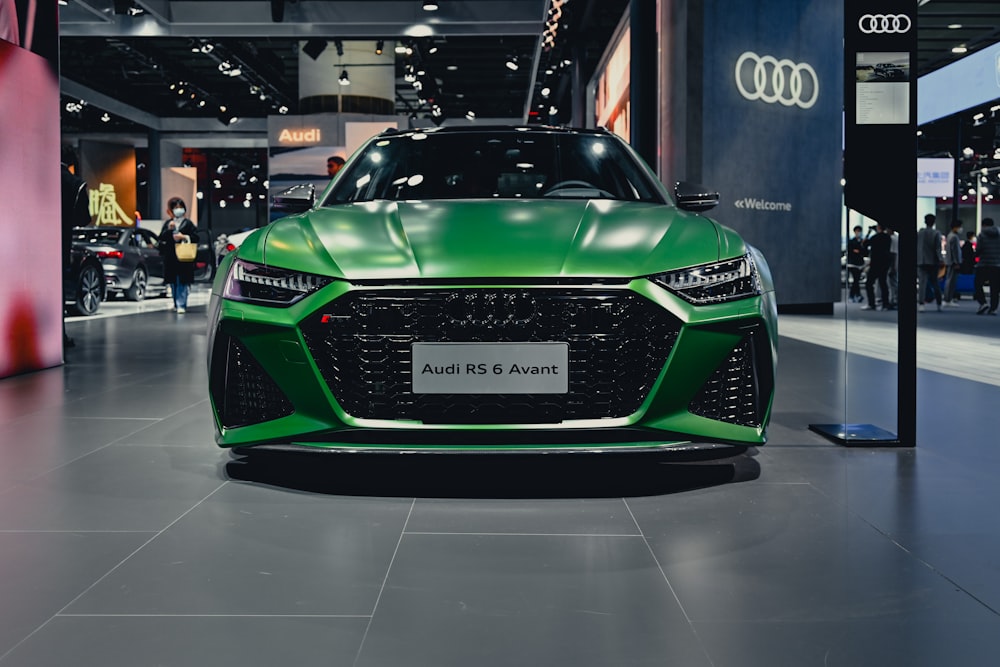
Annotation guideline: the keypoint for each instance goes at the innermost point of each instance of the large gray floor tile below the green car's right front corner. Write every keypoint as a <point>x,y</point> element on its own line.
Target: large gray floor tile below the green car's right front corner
<point>786,553</point>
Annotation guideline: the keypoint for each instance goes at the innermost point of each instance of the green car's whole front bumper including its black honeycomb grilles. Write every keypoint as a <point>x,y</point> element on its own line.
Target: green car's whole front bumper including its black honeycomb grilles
<point>648,371</point>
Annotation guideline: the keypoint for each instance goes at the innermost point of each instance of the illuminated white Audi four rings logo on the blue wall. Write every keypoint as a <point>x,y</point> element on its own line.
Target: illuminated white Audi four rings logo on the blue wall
<point>770,80</point>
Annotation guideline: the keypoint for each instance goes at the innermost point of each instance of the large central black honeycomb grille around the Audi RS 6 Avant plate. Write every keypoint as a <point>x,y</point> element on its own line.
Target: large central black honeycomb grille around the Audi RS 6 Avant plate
<point>618,343</point>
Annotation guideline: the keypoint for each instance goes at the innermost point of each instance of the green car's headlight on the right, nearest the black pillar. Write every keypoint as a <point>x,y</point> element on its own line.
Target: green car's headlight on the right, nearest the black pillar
<point>718,282</point>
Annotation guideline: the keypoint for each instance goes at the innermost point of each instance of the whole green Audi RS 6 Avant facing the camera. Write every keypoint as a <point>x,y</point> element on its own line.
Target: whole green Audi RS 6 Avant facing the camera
<point>490,289</point>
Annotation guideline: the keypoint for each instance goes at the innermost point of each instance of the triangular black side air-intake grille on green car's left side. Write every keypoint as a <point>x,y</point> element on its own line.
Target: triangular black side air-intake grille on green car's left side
<point>243,392</point>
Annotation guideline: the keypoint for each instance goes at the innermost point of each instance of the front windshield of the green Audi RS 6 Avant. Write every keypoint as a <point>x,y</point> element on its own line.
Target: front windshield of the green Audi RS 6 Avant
<point>504,165</point>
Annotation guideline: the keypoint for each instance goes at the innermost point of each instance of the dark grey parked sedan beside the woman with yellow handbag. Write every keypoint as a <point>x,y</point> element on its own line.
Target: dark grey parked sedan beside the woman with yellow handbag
<point>131,259</point>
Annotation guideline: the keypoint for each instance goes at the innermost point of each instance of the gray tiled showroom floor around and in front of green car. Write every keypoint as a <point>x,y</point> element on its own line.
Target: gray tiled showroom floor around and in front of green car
<point>128,539</point>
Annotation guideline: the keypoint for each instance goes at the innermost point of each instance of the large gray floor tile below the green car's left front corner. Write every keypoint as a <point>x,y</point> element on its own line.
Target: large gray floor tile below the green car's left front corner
<point>257,550</point>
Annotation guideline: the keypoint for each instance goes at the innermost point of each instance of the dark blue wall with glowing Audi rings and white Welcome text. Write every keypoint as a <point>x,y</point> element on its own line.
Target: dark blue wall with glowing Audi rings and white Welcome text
<point>777,167</point>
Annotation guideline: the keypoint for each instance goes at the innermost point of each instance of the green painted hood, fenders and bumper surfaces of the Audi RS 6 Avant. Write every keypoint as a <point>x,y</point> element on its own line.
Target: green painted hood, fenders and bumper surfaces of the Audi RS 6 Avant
<point>580,245</point>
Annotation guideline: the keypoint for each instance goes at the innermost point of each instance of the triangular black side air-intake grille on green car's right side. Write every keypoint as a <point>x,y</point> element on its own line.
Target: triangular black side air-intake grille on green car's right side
<point>736,391</point>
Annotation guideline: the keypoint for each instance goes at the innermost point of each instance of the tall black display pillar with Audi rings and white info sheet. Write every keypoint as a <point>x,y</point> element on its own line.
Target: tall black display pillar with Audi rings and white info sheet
<point>880,149</point>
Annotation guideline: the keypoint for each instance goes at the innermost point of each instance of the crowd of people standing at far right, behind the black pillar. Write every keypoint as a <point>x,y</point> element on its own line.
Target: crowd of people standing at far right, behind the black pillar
<point>872,261</point>
